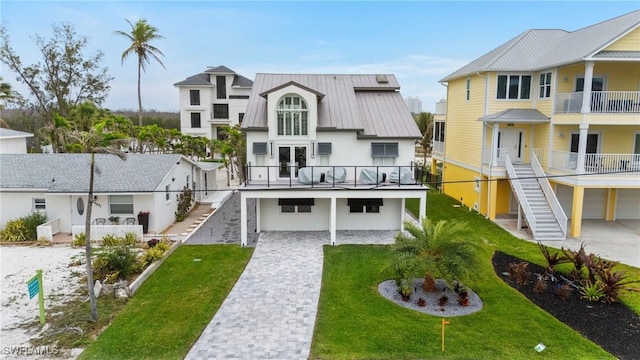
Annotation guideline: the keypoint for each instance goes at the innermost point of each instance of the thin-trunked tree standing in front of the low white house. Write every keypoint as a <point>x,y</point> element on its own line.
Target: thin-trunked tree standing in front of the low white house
<point>95,141</point>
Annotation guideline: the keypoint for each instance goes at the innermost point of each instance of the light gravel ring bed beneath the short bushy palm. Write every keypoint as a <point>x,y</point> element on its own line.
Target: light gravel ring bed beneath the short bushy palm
<point>389,290</point>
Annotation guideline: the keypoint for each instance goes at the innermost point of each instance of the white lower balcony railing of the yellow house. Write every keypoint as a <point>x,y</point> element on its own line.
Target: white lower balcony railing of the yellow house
<point>596,163</point>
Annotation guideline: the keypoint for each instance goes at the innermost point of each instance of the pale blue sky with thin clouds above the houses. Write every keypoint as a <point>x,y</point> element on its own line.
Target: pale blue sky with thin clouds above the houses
<point>419,41</point>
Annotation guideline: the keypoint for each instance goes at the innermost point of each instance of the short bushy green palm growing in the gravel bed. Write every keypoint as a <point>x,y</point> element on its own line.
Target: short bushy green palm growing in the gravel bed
<point>436,249</point>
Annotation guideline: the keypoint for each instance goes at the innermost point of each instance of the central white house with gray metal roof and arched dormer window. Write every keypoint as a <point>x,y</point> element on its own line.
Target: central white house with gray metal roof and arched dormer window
<point>317,146</point>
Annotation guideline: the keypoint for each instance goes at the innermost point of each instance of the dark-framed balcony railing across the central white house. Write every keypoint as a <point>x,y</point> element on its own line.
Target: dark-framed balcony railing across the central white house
<point>288,175</point>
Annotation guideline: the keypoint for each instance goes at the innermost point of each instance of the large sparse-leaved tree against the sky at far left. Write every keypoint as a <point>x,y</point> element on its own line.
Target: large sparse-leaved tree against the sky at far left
<point>65,77</point>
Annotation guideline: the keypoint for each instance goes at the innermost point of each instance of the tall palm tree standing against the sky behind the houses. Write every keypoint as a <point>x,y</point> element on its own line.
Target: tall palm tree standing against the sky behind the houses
<point>140,36</point>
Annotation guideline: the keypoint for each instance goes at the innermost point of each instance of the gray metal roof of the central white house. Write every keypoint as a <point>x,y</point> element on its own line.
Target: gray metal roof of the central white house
<point>351,102</point>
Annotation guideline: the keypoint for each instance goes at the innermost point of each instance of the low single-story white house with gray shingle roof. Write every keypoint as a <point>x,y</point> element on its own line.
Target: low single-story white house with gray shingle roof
<point>57,185</point>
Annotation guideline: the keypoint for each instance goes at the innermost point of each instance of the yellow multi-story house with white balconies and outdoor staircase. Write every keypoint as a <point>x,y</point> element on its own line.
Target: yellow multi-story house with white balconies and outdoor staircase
<point>553,105</point>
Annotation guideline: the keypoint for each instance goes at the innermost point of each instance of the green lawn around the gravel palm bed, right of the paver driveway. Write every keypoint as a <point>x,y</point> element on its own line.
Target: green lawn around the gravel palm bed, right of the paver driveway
<point>354,322</point>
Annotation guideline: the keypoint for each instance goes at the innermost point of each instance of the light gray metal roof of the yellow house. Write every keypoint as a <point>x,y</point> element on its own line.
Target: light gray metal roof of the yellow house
<point>543,49</point>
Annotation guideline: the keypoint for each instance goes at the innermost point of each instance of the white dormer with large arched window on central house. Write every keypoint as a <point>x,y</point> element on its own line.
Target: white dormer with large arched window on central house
<point>292,111</point>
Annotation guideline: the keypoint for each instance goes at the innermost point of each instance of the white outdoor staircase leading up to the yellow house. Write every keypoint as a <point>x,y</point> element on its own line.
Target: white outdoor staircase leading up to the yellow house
<point>542,211</point>
